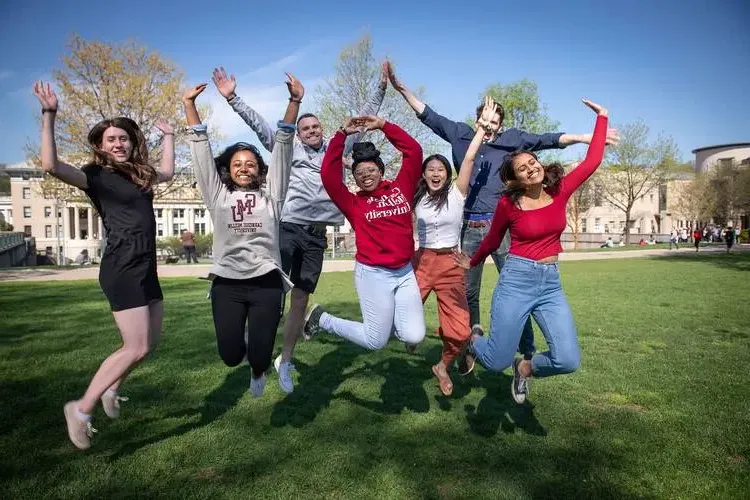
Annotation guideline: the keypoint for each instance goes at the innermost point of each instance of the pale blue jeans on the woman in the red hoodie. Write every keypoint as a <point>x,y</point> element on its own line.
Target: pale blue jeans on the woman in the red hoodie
<point>388,298</point>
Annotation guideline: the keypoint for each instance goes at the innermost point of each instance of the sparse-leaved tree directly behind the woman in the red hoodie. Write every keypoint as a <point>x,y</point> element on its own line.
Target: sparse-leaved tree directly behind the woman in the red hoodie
<point>340,97</point>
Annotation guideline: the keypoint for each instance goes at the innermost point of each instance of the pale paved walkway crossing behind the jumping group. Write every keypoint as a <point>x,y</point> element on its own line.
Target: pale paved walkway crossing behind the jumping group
<point>201,270</point>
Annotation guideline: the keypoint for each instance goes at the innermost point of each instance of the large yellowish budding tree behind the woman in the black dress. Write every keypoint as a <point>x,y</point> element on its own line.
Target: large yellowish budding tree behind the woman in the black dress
<point>100,80</point>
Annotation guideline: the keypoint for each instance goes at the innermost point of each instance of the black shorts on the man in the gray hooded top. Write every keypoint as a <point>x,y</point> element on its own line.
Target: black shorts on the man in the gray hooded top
<point>302,249</point>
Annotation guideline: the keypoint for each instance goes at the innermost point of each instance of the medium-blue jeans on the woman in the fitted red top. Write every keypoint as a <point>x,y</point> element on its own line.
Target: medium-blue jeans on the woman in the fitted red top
<point>528,288</point>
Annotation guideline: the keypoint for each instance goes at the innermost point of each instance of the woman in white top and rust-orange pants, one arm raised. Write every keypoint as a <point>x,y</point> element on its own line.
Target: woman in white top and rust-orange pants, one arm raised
<point>439,207</point>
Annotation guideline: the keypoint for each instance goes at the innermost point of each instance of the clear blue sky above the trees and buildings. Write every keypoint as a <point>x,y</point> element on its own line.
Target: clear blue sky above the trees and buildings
<point>683,67</point>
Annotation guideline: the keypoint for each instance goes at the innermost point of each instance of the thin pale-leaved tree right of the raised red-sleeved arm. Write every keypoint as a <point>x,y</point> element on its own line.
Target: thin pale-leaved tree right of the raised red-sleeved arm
<point>635,167</point>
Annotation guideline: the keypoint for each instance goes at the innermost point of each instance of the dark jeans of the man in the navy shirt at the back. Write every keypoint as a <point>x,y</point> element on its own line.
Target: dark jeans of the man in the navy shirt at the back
<point>471,237</point>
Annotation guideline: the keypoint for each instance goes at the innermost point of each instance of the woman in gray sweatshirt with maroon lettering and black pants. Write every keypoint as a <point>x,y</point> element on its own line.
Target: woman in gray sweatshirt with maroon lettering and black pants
<point>248,284</point>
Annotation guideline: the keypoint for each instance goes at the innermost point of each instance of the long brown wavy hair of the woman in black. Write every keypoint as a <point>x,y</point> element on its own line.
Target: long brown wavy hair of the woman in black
<point>136,167</point>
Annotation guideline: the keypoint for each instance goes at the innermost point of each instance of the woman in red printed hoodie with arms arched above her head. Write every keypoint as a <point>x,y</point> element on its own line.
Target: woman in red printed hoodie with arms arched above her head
<point>381,215</point>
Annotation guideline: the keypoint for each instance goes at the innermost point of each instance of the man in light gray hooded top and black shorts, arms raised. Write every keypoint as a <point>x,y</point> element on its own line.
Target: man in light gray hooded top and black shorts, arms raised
<point>307,210</point>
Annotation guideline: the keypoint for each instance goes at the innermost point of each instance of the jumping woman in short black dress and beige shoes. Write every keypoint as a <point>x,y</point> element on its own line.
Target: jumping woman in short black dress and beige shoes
<point>119,182</point>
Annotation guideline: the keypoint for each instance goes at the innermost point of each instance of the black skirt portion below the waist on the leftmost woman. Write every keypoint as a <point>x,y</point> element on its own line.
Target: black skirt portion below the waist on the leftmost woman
<point>129,280</point>
